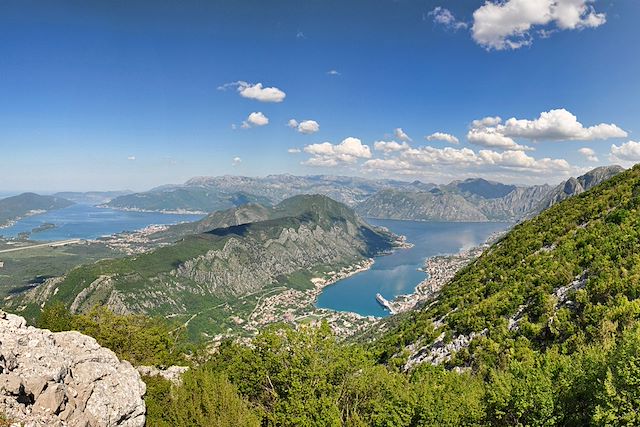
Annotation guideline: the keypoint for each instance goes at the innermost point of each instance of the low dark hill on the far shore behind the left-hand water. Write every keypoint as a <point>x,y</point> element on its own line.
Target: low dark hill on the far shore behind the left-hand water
<point>195,199</point>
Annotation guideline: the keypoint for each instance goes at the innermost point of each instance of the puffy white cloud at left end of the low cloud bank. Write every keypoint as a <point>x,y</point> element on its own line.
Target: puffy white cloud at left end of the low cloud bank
<point>349,151</point>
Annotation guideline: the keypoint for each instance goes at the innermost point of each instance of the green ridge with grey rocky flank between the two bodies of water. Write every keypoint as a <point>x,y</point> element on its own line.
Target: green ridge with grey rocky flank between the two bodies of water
<point>217,275</point>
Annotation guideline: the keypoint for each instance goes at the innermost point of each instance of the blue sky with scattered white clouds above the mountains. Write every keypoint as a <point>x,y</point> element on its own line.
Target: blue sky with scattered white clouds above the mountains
<point>134,94</point>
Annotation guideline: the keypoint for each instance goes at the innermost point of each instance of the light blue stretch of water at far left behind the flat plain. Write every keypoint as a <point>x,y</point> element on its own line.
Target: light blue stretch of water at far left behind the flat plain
<point>89,222</point>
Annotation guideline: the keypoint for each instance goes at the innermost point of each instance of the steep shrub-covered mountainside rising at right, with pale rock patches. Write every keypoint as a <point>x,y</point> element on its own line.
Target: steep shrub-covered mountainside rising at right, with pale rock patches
<point>560,282</point>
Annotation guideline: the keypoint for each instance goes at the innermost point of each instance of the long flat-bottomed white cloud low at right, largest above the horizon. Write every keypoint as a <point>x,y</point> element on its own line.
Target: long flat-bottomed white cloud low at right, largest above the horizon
<point>553,125</point>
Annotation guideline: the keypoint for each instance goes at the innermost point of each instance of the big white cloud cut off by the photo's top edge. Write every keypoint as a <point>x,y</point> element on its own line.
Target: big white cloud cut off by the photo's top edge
<point>507,24</point>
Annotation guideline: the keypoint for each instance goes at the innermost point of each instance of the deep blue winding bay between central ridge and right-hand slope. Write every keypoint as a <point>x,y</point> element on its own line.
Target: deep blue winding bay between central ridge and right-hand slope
<point>398,273</point>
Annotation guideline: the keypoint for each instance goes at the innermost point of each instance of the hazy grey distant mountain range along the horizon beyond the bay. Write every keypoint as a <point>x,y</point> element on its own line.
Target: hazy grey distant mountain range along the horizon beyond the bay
<point>473,199</point>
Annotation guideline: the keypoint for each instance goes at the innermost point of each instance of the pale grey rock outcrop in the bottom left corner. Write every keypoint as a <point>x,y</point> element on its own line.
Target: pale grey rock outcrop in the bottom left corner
<point>65,379</point>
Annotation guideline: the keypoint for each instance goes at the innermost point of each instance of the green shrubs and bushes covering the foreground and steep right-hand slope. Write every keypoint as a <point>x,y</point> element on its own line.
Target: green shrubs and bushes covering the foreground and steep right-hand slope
<point>555,306</point>
